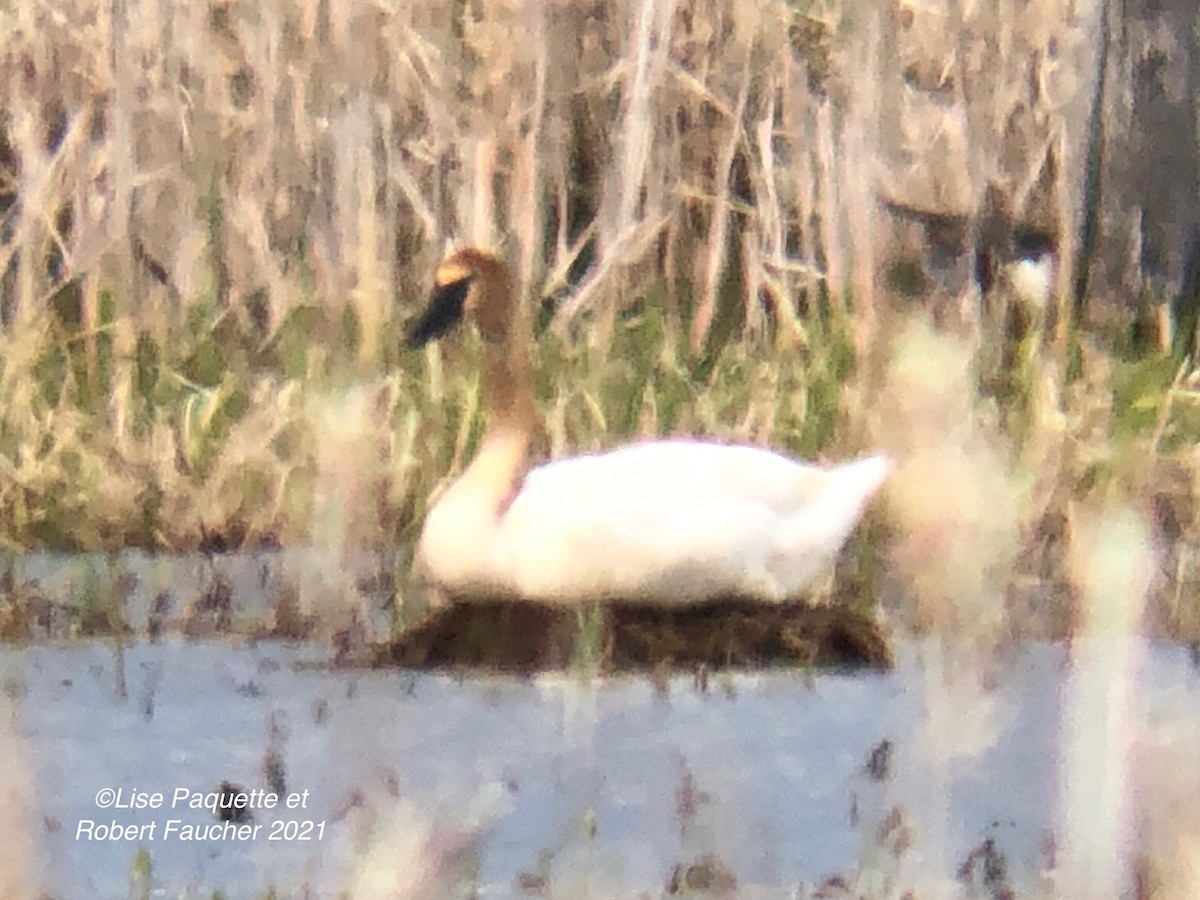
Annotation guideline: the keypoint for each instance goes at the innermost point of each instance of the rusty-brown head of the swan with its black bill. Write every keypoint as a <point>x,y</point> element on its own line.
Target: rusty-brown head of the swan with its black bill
<point>469,285</point>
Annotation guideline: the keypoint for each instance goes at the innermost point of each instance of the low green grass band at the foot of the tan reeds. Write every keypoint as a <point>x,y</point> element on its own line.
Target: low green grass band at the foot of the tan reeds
<point>209,435</point>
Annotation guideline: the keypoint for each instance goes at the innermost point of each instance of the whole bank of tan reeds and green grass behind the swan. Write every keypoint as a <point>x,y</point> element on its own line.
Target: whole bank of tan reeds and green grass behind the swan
<point>218,220</point>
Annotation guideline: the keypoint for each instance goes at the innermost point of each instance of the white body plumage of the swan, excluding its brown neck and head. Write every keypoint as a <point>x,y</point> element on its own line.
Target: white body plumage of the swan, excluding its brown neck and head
<point>664,523</point>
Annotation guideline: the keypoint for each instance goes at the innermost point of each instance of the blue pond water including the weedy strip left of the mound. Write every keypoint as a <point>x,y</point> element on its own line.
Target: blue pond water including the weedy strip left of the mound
<point>415,784</point>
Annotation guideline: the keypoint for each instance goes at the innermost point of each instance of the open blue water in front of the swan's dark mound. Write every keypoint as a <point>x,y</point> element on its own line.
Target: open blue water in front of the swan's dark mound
<point>511,788</point>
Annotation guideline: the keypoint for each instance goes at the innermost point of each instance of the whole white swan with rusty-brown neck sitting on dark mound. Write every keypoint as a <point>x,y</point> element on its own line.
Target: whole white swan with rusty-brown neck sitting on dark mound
<point>670,523</point>
